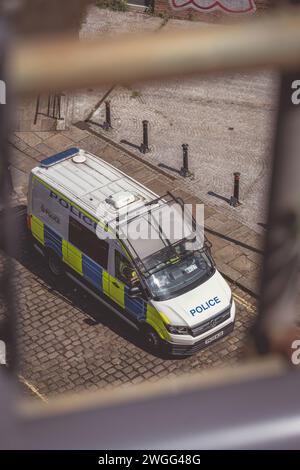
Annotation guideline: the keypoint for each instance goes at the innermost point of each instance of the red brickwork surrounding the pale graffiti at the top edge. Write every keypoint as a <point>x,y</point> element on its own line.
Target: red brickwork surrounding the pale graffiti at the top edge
<point>216,15</point>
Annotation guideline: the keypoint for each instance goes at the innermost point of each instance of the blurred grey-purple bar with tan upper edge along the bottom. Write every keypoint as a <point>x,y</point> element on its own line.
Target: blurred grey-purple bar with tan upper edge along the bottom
<point>251,406</point>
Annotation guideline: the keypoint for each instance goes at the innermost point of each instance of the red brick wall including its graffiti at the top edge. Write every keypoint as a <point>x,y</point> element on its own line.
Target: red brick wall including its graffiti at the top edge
<point>211,10</point>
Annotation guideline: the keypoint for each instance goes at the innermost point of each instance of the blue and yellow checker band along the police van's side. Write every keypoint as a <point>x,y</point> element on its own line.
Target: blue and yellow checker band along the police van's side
<point>98,277</point>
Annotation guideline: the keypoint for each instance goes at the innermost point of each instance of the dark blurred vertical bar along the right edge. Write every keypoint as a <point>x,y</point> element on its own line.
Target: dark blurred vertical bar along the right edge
<point>279,310</point>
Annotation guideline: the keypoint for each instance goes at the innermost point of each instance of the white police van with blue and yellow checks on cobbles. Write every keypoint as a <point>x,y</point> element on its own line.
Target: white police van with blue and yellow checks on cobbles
<point>169,289</point>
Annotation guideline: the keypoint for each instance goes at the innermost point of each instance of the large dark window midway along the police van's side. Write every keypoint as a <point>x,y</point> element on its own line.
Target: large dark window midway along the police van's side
<point>88,242</point>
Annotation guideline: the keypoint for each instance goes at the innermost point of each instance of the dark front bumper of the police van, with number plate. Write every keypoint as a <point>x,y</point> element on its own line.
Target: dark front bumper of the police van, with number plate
<point>188,350</point>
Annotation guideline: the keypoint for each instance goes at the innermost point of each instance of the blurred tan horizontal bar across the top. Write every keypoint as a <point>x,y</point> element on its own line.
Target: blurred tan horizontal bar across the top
<point>63,63</point>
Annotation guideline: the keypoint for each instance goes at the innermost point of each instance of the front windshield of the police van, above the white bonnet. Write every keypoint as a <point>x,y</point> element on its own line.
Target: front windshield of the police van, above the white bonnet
<point>178,275</point>
